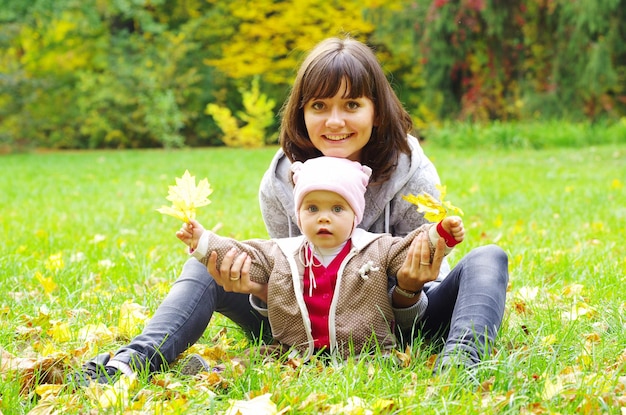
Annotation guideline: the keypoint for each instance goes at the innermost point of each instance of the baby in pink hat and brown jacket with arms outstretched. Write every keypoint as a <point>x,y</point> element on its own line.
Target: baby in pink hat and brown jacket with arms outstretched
<point>327,289</point>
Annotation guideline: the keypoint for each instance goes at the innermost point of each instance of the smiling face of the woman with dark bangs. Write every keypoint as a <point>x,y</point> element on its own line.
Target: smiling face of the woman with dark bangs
<point>338,126</point>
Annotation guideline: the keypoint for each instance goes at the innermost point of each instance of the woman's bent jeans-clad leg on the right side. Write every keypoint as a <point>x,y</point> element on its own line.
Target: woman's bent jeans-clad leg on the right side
<point>467,307</point>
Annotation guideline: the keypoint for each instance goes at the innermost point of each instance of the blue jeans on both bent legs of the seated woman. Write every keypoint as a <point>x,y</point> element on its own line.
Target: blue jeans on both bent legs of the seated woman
<point>465,309</point>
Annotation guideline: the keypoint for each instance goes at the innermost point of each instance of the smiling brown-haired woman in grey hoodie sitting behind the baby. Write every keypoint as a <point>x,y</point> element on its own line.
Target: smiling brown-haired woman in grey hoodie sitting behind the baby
<point>341,105</point>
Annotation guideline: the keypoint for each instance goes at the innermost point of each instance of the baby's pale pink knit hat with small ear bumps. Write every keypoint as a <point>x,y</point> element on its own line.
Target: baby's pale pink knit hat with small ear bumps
<point>342,176</point>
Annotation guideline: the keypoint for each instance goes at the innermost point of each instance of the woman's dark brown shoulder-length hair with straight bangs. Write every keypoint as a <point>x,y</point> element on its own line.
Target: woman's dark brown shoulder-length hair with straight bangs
<point>332,62</point>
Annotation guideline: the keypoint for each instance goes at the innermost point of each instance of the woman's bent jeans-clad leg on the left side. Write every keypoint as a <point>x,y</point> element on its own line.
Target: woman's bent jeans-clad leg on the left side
<point>180,320</point>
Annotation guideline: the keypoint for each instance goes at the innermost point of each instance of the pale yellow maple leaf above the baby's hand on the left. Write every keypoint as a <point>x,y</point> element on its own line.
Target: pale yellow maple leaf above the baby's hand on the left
<point>186,197</point>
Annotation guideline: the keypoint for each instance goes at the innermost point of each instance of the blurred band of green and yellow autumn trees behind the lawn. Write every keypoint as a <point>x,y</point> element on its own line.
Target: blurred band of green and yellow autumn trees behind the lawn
<point>82,74</point>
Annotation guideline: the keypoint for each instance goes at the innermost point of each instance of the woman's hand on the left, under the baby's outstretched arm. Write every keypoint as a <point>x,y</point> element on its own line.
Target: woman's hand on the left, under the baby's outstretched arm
<point>234,274</point>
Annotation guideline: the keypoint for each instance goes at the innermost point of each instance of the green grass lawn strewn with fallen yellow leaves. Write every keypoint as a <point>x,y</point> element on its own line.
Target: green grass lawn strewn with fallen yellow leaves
<point>558,212</point>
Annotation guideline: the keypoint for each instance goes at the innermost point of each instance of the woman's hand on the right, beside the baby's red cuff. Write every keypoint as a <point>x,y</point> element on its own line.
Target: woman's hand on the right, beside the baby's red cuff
<point>417,269</point>
